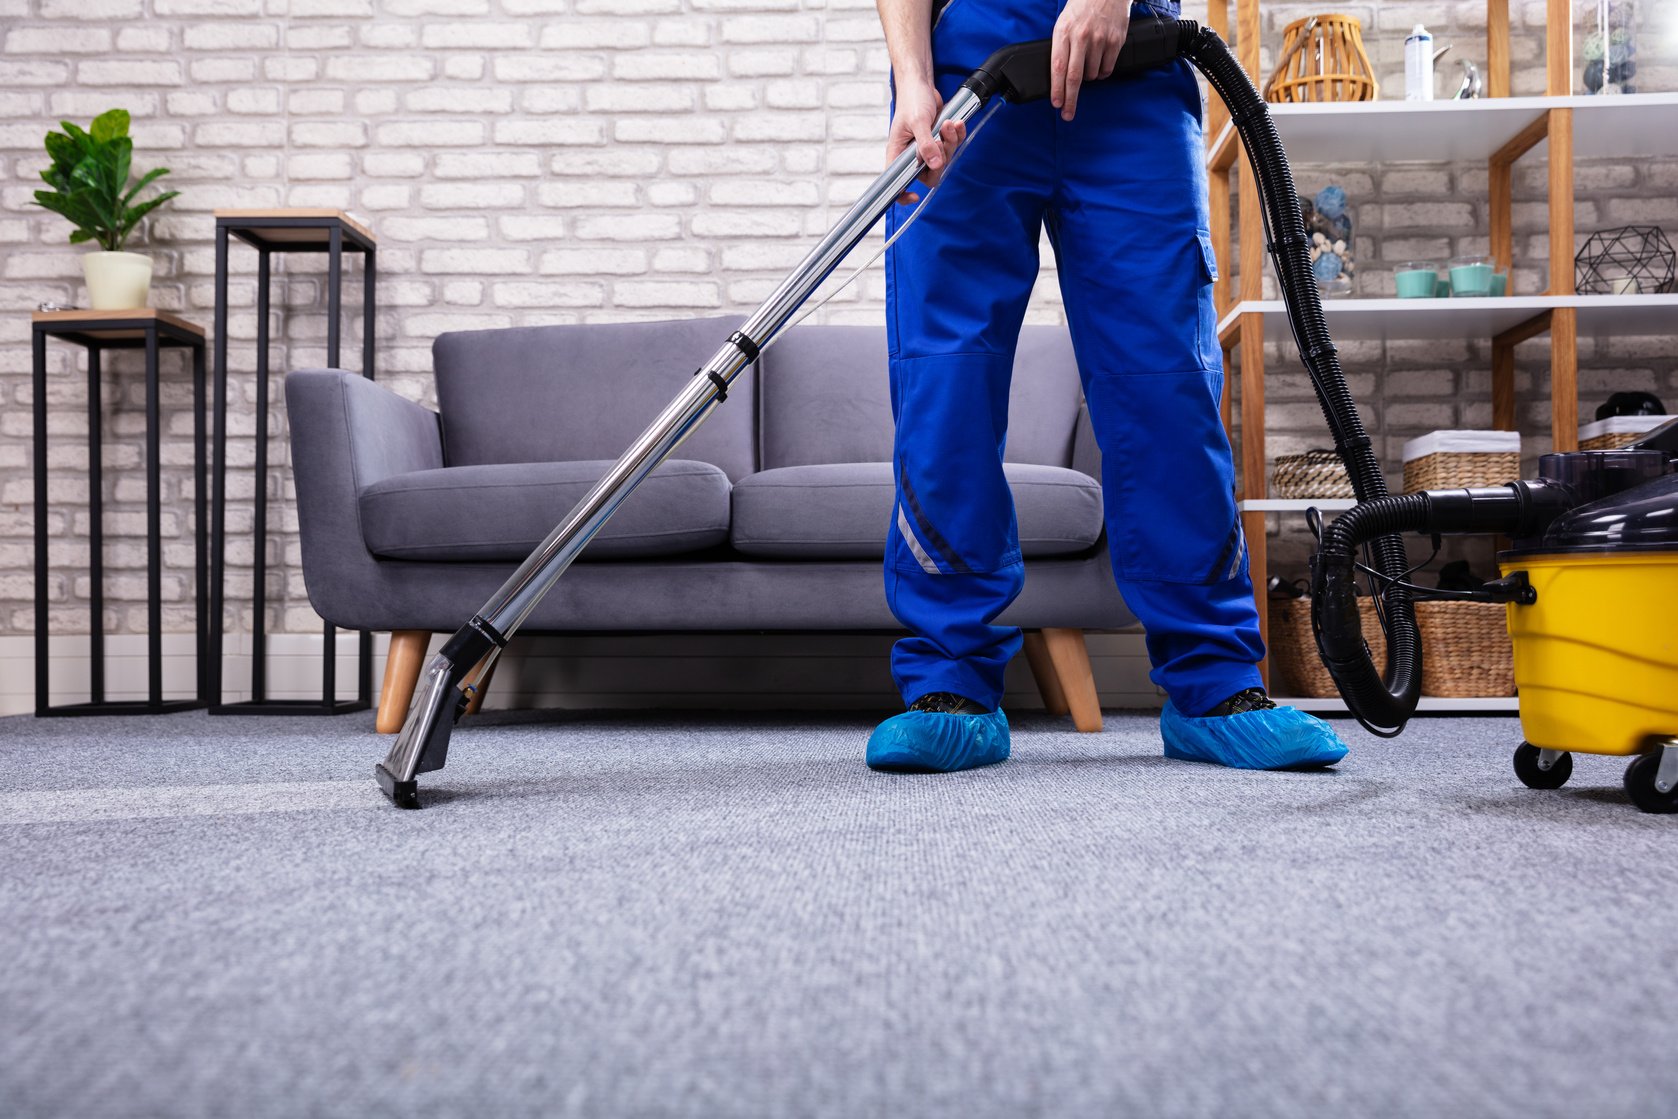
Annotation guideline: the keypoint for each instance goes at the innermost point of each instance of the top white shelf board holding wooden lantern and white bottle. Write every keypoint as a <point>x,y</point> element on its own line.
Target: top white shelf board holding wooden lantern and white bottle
<point>1469,132</point>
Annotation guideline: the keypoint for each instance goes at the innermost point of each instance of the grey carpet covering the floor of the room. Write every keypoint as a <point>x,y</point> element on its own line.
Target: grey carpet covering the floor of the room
<point>672,915</point>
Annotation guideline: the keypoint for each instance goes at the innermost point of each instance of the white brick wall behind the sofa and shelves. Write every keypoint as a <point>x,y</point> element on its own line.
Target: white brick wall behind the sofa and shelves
<point>529,162</point>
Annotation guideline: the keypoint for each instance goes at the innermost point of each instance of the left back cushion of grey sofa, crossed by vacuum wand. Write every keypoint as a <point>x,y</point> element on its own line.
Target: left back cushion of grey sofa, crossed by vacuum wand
<point>566,393</point>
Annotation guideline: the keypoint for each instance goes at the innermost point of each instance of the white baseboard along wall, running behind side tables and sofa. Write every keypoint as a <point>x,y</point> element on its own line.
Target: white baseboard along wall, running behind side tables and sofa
<point>719,672</point>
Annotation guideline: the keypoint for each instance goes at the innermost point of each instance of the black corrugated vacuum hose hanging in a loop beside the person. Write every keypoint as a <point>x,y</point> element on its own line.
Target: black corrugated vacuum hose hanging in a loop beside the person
<point>1380,704</point>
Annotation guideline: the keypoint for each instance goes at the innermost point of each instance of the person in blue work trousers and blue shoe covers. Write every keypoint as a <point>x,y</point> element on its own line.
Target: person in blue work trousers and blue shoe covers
<point>1117,174</point>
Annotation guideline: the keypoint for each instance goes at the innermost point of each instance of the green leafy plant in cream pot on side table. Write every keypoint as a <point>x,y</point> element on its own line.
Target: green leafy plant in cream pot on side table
<point>90,179</point>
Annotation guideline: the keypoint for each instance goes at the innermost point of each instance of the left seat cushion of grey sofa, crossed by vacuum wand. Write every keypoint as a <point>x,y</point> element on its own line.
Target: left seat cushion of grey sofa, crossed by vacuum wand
<point>501,513</point>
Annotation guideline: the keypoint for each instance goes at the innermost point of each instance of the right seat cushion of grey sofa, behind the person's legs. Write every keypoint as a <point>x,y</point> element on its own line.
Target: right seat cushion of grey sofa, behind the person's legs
<point>842,511</point>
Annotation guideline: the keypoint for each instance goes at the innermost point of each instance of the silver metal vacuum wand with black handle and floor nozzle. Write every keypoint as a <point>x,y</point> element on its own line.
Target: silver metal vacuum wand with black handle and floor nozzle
<point>1018,73</point>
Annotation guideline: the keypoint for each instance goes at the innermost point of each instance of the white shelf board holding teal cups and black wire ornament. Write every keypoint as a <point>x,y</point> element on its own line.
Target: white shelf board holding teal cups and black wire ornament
<point>1427,320</point>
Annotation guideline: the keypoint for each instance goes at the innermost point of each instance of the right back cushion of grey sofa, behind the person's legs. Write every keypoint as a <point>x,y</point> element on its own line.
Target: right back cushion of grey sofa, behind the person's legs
<point>826,398</point>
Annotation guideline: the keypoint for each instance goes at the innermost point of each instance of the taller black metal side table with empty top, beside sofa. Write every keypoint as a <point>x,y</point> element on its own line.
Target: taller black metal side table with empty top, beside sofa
<point>271,232</point>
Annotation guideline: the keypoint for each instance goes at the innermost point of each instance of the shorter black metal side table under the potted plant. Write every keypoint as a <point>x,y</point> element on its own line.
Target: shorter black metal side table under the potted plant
<point>98,331</point>
